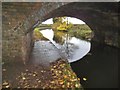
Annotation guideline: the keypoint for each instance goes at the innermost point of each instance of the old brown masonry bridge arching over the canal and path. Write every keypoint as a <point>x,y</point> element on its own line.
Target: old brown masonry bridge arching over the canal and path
<point>19,20</point>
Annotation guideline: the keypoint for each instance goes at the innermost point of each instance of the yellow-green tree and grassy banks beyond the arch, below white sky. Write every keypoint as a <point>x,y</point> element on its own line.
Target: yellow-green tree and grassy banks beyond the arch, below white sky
<point>81,31</point>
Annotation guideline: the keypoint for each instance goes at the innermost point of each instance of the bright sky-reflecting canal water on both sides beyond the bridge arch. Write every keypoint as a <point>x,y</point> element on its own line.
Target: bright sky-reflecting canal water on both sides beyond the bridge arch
<point>72,49</point>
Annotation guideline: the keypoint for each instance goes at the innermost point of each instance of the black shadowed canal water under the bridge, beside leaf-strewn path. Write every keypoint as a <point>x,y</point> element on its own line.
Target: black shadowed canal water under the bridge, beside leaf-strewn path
<point>100,68</point>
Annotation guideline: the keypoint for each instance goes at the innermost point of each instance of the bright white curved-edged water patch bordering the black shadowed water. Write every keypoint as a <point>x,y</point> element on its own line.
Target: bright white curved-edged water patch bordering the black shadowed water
<point>80,49</point>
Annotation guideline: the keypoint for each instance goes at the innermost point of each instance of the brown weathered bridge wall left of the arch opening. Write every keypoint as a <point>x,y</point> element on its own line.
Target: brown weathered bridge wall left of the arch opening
<point>19,19</point>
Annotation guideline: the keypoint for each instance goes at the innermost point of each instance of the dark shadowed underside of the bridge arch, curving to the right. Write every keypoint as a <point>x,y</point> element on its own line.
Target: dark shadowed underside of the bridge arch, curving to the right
<point>100,17</point>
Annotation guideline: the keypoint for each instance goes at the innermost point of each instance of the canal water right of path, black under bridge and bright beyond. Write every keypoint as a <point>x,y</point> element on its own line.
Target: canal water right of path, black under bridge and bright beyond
<point>96,69</point>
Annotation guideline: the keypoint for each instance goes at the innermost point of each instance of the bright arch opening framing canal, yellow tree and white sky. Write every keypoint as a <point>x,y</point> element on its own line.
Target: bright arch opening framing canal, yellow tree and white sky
<point>68,34</point>
